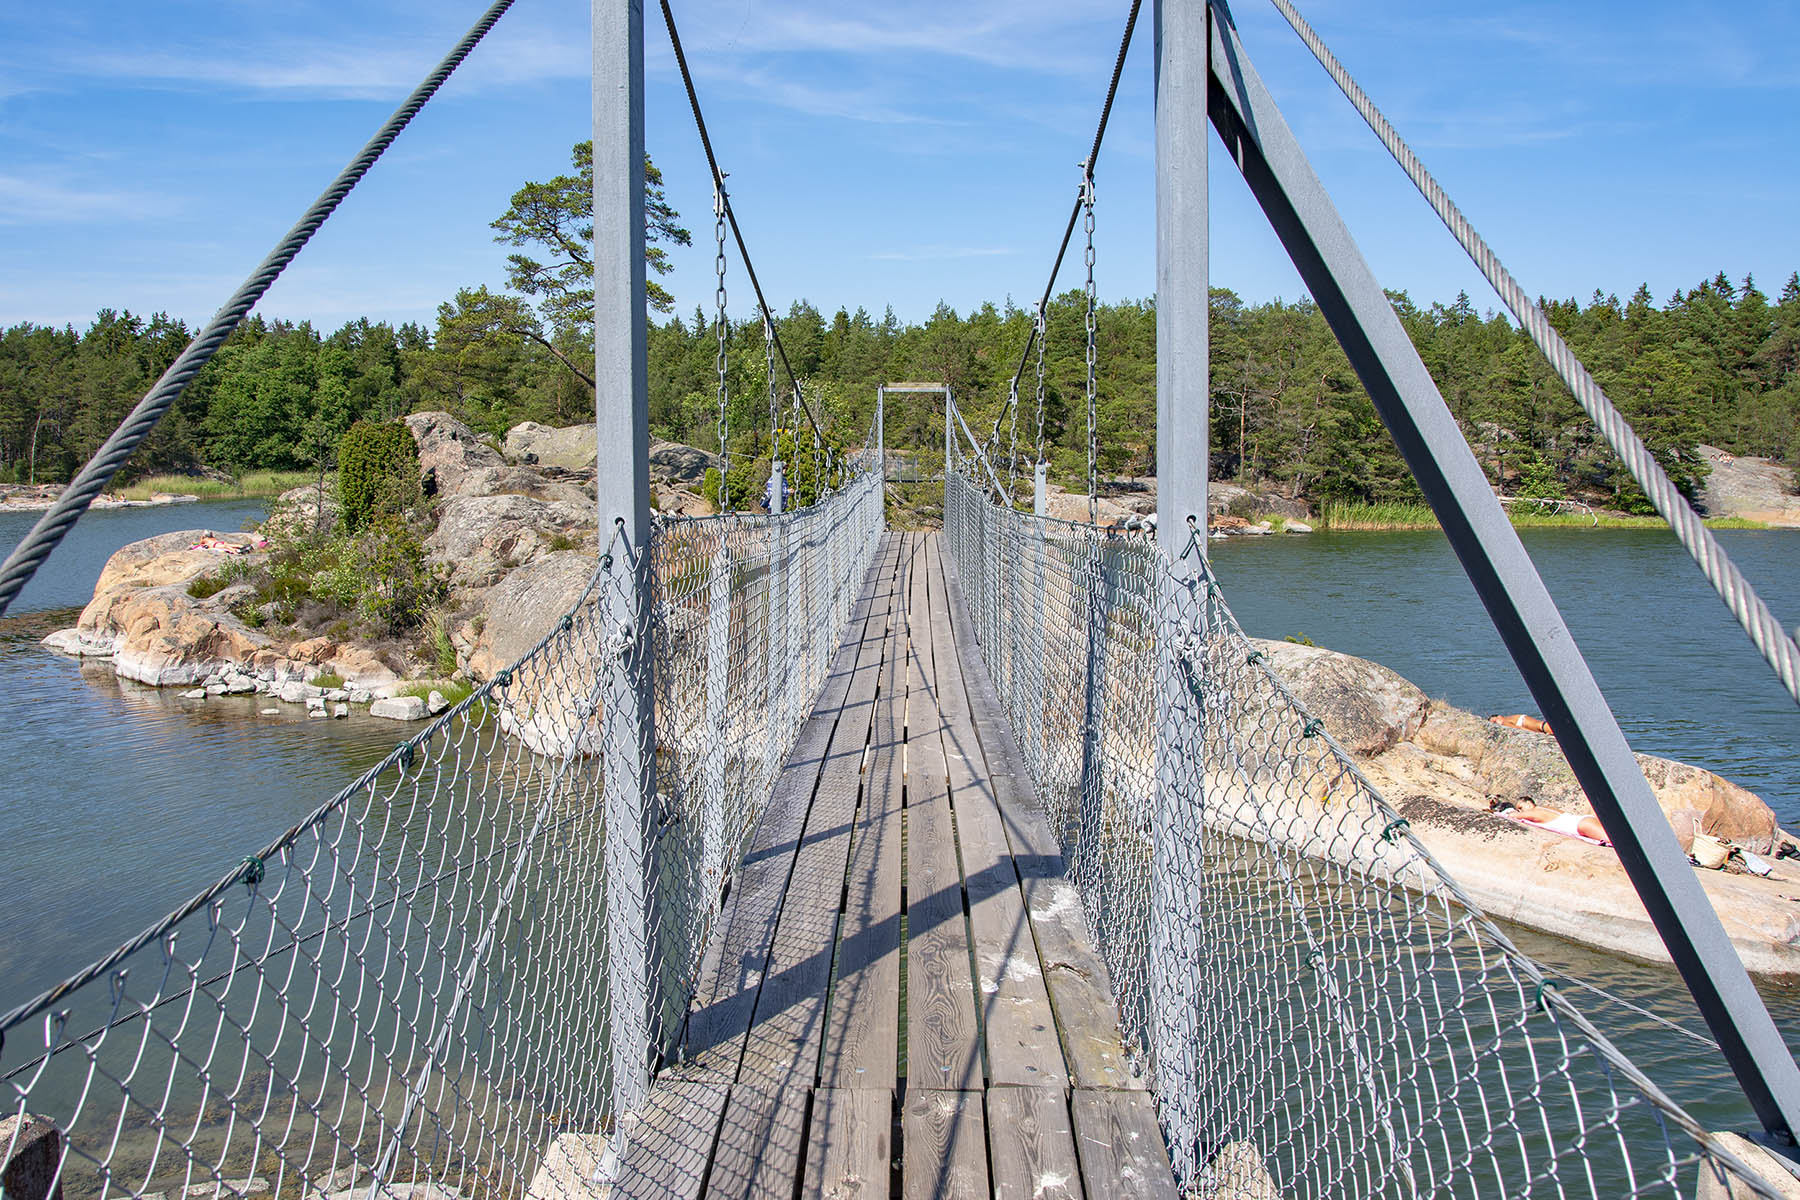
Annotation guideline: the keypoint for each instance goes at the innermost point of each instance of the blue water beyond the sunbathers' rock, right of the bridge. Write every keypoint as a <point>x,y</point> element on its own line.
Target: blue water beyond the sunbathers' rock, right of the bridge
<point>1677,668</point>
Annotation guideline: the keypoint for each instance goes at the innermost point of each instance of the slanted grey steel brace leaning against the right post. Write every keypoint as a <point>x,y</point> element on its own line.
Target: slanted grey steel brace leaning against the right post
<point>1506,580</point>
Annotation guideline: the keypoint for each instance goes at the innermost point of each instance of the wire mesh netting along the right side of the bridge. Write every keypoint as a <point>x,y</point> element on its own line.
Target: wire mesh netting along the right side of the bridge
<point>1315,1003</point>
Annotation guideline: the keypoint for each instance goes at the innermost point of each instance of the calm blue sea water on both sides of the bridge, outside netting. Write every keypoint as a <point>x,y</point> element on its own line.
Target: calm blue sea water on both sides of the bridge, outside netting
<point>120,801</point>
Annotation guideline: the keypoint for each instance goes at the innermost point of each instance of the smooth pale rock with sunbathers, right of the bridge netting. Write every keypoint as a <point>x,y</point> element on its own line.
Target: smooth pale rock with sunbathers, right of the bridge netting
<point>1439,767</point>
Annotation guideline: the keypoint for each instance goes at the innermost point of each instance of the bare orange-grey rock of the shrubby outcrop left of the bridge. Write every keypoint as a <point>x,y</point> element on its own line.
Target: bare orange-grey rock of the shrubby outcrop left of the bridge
<point>508,546</point>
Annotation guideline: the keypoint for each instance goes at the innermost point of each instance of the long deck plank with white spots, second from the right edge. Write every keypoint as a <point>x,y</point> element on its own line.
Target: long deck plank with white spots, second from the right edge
<point>1016,1016</point>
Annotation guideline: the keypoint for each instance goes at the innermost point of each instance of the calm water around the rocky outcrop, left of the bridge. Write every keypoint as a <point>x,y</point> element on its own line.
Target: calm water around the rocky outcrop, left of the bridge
<point>120,801</point>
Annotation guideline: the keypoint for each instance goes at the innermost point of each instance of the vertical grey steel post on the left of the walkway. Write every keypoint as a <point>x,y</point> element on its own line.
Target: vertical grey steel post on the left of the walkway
<point>622,434</point>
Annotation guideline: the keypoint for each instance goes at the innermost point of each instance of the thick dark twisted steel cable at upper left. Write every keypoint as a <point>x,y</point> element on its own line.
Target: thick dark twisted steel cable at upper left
<point>31,553</point>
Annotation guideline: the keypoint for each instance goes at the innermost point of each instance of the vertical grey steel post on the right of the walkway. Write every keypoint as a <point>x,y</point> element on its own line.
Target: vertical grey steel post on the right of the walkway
<point>1182,465</point>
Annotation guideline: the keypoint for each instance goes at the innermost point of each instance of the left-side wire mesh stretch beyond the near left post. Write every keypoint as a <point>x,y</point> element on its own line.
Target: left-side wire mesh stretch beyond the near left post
<point>750,613</point>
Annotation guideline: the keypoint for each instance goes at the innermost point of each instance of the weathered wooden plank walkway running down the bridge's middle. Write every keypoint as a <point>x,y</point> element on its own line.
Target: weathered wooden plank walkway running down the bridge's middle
<point>901,996</point>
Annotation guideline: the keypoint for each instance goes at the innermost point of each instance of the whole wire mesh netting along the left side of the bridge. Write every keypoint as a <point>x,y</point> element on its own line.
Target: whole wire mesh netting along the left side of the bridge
<point>413,992</point>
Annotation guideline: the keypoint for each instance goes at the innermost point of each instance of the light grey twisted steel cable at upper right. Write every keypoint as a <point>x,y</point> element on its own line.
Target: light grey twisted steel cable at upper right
<point>1776,647</point>
